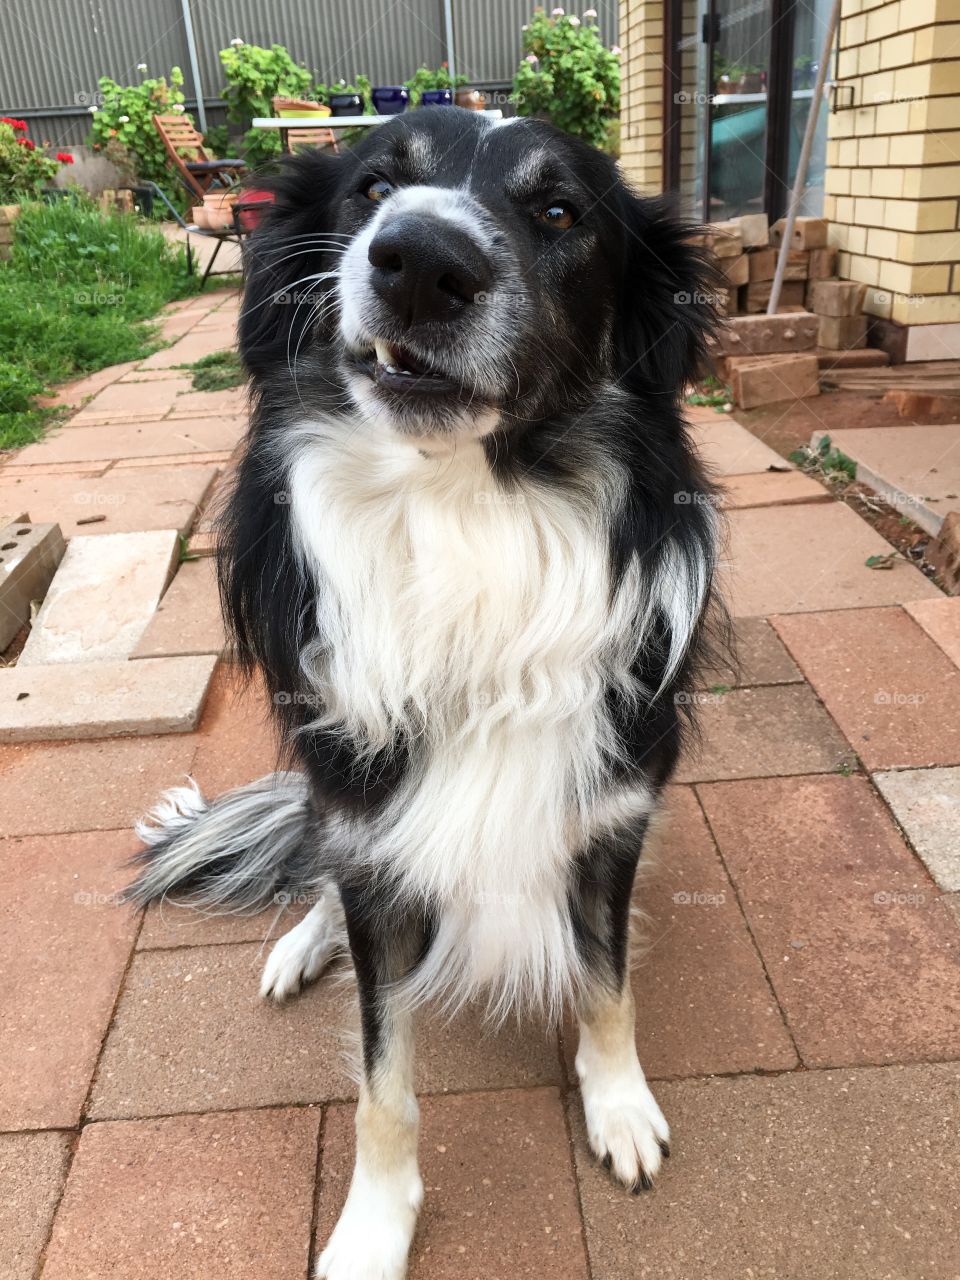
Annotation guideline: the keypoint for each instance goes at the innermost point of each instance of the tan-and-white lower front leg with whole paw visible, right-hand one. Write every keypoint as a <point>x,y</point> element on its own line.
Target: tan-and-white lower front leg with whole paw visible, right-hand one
<point>625,1127</point>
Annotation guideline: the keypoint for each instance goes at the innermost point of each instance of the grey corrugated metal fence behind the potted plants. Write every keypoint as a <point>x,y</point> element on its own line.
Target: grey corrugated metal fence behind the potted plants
<point>53,52</point>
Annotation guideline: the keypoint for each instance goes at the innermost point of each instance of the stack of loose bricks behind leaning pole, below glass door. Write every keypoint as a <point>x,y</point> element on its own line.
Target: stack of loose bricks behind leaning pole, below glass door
<point>747,253</point>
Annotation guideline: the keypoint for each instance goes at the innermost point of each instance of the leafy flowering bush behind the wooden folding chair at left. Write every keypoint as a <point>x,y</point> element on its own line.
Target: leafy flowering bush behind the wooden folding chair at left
<point>126,117</point>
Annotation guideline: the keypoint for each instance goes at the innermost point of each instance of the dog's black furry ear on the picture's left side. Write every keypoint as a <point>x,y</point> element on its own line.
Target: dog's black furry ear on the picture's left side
<point>286,254</point>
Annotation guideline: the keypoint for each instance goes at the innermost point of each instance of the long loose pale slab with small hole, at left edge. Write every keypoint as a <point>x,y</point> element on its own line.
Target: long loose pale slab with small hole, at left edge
<point>103,700</point>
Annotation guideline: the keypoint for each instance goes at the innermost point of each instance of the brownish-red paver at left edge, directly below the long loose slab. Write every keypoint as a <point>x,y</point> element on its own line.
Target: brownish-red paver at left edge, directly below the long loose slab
<point>89,787</point>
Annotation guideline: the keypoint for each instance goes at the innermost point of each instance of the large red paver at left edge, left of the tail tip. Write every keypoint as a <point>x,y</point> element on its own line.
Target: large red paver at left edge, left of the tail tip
<point>67,941</point>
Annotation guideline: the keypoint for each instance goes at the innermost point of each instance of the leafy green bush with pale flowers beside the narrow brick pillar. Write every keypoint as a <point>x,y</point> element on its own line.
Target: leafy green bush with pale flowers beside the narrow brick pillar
<point>569,75</point>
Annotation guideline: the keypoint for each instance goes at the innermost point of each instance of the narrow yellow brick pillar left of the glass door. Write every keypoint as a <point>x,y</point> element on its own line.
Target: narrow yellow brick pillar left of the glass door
<point>642,93</point>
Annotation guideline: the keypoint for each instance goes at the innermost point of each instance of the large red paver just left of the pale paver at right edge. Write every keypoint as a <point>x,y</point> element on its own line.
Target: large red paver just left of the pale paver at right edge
<point>863,958</point>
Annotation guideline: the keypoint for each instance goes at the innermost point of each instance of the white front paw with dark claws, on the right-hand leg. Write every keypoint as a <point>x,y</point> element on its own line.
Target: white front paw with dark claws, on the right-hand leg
<point>627,1128</point>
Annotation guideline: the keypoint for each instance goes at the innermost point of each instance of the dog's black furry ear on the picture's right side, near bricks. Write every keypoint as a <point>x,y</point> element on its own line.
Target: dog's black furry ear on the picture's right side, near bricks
<point>668,304</point>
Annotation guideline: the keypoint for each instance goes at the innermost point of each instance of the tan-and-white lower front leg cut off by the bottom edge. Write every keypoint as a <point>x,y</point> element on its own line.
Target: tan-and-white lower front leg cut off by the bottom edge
<point>373,1236</point>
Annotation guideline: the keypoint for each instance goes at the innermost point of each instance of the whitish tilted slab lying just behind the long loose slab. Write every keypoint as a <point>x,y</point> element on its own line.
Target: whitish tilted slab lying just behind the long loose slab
<point>103,598</point>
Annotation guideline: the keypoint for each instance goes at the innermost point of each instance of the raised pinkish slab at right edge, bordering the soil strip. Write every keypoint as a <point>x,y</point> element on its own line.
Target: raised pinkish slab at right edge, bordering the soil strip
<point>917,469</point>
